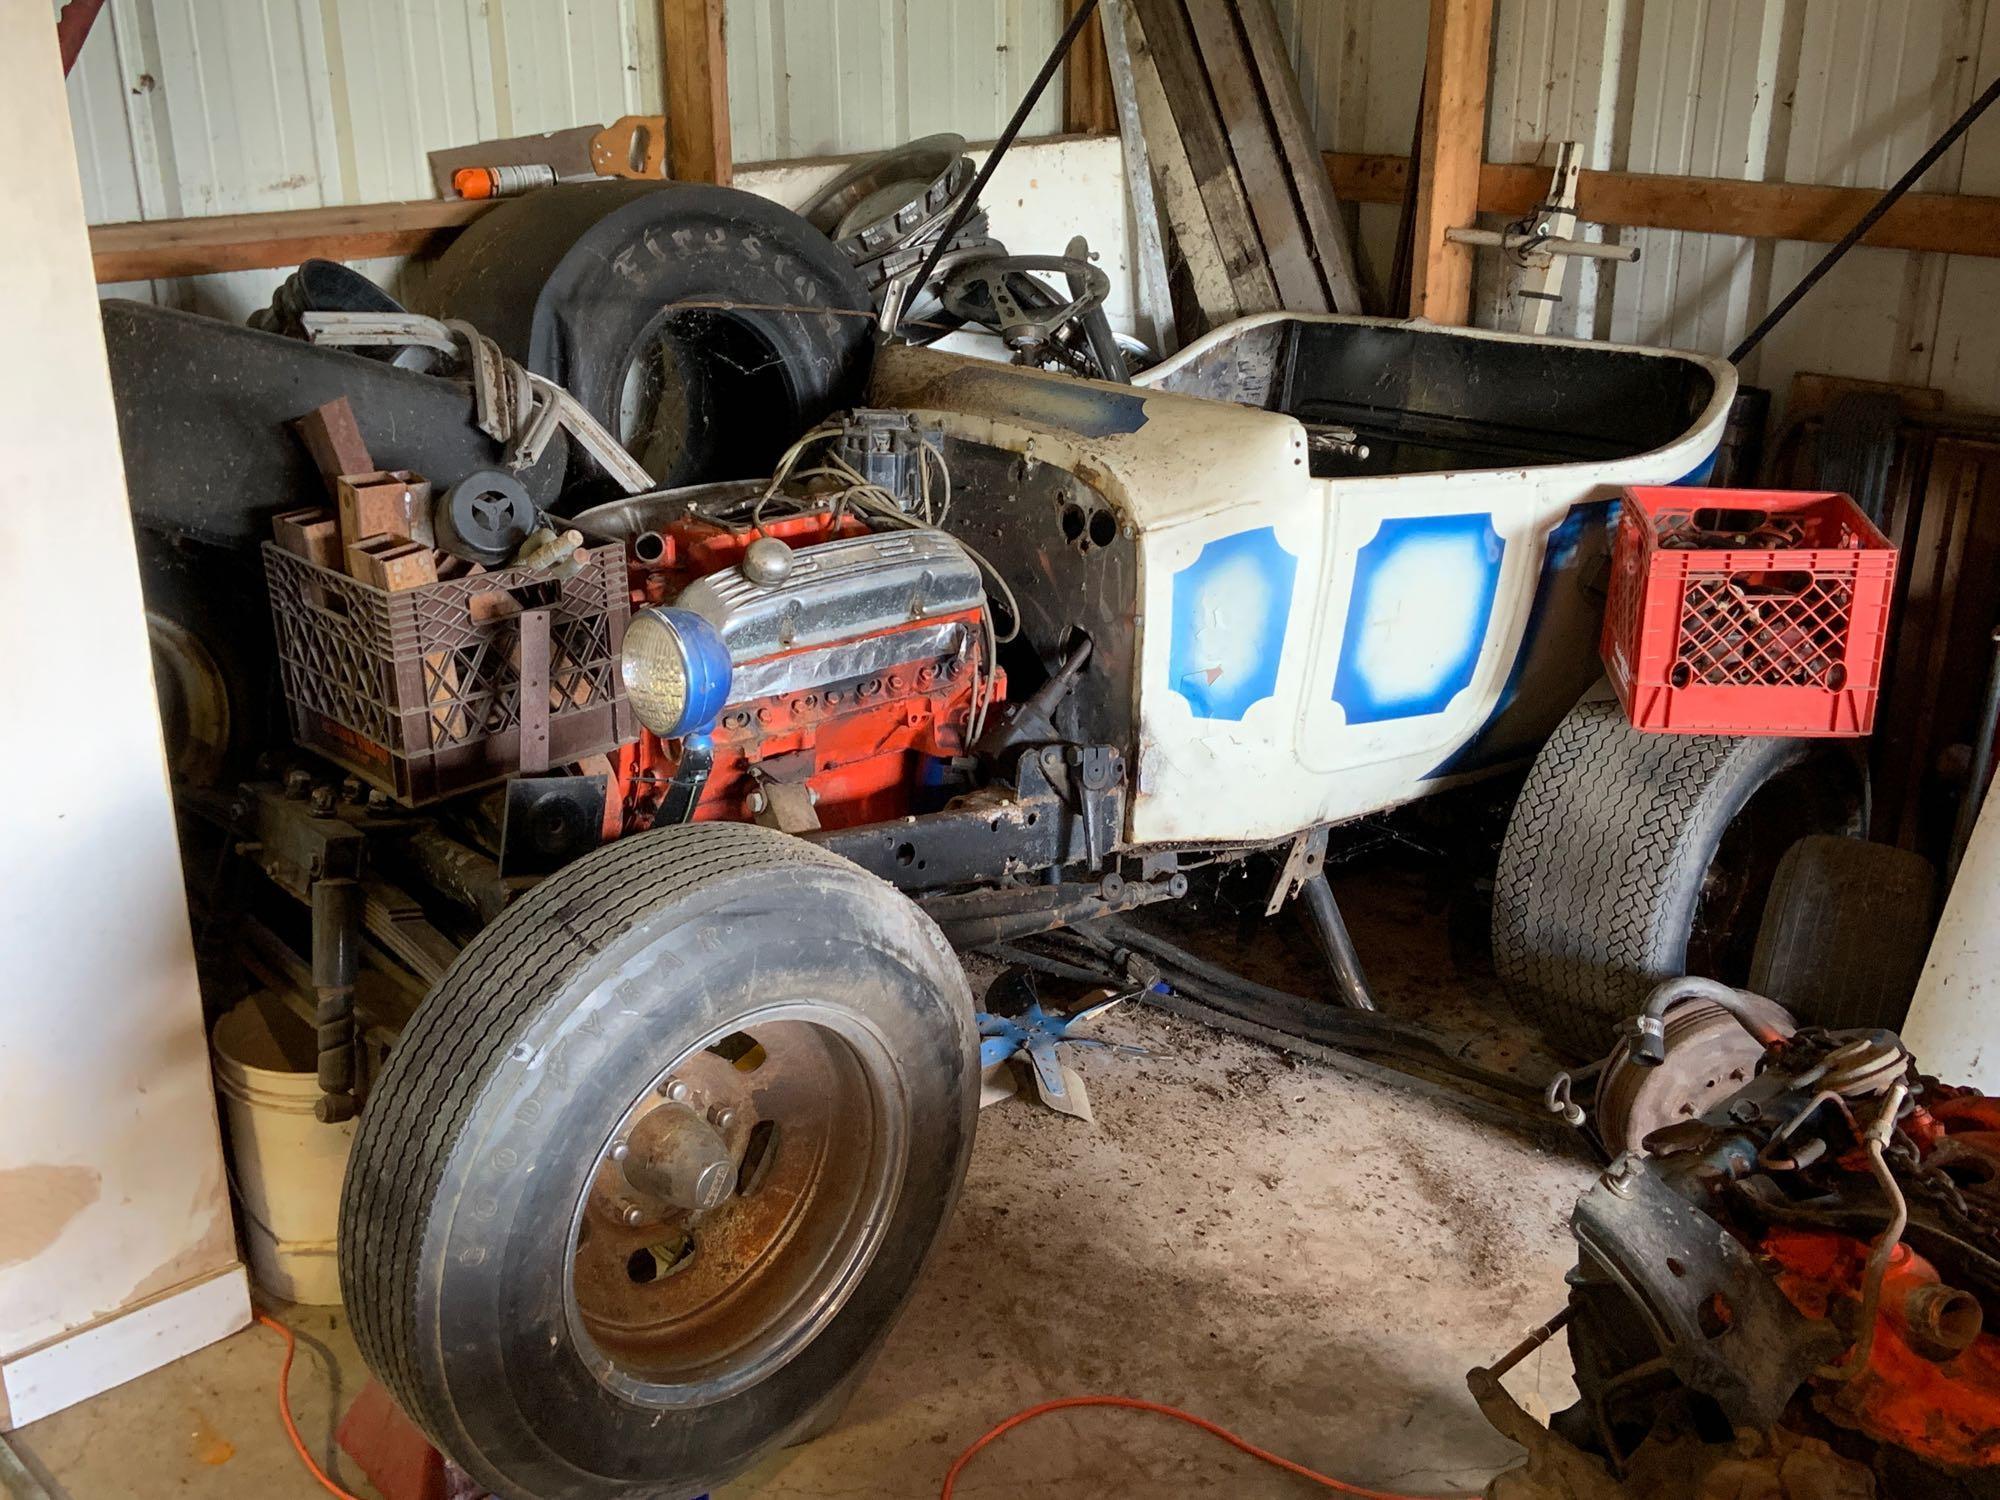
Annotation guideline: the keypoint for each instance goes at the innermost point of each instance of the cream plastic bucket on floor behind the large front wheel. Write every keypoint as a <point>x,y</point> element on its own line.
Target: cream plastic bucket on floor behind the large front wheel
<point>287,1163</point>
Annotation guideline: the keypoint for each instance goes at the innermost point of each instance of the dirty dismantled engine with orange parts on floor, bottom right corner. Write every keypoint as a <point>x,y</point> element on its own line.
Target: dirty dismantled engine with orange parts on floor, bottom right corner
<point>1787,1293</point>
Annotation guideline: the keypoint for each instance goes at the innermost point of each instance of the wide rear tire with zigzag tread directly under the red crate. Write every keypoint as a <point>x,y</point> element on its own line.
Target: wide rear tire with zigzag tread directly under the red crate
<point>1639,857</point>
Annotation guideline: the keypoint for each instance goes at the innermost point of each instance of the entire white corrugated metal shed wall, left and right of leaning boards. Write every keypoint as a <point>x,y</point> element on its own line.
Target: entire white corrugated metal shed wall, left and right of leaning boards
<point>205,107</point>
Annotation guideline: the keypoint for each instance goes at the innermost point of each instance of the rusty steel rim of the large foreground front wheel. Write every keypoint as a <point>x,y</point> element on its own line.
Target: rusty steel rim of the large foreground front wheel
<point>677,1305</point>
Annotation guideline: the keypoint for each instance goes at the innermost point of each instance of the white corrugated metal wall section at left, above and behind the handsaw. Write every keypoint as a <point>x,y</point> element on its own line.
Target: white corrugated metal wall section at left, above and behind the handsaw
<point>233,107</point>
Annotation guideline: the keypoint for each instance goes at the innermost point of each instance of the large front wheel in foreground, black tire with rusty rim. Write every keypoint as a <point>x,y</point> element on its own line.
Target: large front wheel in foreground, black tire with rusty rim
<point>719,987</point>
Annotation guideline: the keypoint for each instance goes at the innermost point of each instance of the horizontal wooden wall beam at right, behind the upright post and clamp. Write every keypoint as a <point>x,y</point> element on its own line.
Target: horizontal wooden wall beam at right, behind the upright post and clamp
<point>1939,223</point>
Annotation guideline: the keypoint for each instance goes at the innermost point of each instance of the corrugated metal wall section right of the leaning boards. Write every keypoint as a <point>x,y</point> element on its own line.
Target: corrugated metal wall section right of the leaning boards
<point>1841,93</point>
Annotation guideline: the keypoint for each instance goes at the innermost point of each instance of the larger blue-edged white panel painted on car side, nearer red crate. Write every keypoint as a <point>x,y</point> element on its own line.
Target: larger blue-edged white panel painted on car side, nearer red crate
<point>1417,619</point>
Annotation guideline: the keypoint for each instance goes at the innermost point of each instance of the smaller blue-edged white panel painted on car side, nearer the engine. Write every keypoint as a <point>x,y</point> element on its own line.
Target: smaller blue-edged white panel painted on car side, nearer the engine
<point>1229,623</point>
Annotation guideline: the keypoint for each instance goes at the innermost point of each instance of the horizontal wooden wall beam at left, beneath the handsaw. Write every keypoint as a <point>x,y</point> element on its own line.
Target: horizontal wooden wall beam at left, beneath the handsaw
<point>197,247</point>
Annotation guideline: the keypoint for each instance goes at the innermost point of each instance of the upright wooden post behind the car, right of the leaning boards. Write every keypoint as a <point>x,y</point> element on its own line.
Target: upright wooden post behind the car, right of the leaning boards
<point>1457,65</point>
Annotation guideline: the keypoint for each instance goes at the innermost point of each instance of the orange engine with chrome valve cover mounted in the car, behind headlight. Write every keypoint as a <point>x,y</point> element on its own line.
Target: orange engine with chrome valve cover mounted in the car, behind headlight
<point>809,659</point>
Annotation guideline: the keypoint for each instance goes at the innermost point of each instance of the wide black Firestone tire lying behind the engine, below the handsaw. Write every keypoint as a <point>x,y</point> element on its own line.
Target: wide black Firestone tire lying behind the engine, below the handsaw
<point>705,327</point>
